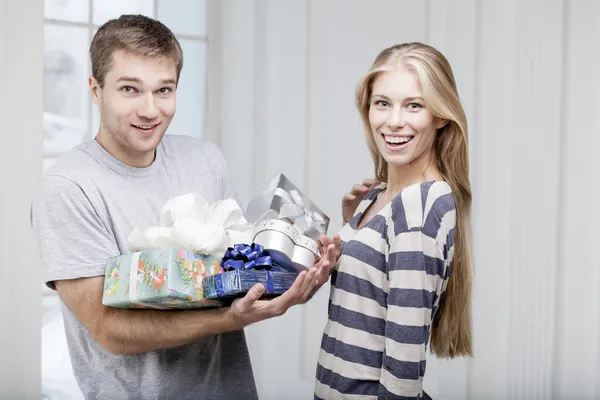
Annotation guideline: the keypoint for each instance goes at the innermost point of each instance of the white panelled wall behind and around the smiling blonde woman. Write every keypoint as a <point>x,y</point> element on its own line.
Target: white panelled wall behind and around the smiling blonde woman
<point>526,75</point>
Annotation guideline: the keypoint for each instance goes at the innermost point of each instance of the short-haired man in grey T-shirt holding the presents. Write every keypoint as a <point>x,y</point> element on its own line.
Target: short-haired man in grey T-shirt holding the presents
<point>88,202</point>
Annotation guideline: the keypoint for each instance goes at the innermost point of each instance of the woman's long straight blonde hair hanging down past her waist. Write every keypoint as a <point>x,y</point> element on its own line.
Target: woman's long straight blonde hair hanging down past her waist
<point>451,329</point>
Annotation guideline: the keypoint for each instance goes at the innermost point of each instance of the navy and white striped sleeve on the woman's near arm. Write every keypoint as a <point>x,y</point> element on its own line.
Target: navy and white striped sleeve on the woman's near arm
<point>416,267</point>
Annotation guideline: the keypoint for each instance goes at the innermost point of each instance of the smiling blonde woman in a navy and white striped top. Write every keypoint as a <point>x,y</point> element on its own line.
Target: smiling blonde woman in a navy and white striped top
<point>404,274</point>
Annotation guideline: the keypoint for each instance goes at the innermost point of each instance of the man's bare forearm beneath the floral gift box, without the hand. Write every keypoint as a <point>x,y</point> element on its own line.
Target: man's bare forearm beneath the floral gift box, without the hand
<point>139,331</point>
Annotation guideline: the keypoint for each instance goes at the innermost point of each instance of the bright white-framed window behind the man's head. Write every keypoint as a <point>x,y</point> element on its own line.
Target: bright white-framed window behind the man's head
<point>69,115</point>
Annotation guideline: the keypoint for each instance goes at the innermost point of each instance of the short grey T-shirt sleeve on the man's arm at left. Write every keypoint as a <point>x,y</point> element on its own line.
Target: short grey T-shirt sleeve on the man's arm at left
<point>73,241</point>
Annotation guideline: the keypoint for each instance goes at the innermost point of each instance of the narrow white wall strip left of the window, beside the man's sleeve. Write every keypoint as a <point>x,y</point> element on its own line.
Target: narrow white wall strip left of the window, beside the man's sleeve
<point>21,60</point>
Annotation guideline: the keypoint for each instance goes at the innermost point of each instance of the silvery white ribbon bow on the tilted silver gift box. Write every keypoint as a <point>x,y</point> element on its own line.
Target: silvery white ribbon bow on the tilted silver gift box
<point>295,209</point>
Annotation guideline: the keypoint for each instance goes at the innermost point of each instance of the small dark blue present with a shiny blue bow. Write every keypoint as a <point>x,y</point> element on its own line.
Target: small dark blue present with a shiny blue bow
<point>243,267</point>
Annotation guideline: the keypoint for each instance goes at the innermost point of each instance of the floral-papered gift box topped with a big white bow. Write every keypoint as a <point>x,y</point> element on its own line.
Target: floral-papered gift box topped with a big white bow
<point>167,263</point>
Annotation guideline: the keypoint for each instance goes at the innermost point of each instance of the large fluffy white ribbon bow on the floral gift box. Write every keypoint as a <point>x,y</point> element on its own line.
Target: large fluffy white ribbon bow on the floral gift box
<point>189,222</point>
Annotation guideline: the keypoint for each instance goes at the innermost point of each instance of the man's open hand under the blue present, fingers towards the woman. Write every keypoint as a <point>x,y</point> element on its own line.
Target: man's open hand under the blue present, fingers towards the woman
<point>250,309</point>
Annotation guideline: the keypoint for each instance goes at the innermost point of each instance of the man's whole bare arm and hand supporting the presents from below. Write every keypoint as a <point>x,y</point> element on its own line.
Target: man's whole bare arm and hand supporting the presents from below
<point>122,331</point>
